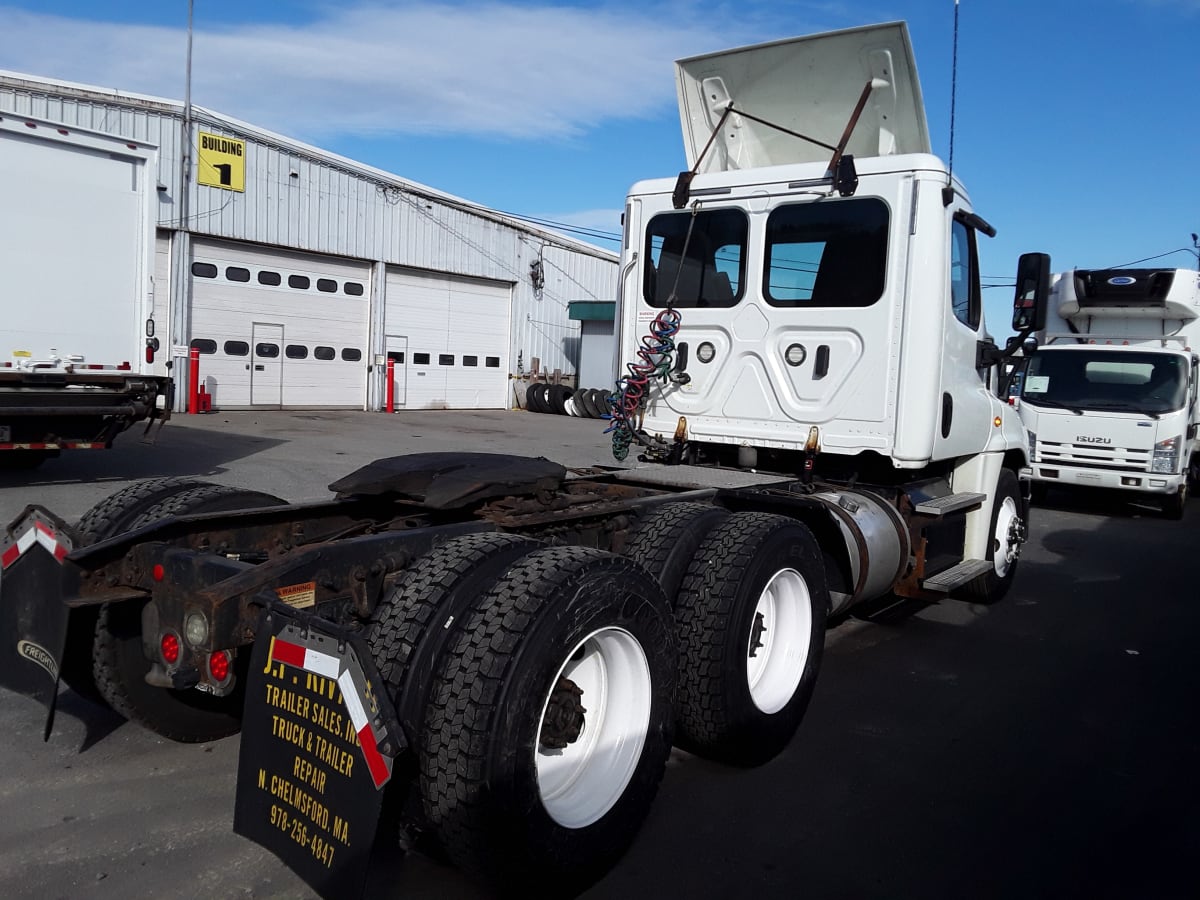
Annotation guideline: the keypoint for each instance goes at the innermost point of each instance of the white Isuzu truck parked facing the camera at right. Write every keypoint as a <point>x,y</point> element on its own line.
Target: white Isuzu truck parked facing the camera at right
<point>1111,395</point>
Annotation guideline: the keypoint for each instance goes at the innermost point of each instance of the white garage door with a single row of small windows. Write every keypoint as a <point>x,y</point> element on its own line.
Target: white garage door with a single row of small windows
<point>455,334</point>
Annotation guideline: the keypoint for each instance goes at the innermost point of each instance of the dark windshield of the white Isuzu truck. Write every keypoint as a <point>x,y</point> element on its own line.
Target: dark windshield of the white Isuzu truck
<point>1107,380</point>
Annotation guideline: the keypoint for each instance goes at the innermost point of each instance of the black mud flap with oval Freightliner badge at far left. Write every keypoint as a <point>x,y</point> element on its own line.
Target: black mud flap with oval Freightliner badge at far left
<point>33,610</point>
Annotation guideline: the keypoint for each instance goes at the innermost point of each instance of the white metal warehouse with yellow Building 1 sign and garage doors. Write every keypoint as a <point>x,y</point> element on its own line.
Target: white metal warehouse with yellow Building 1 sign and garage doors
<point>297,273</point>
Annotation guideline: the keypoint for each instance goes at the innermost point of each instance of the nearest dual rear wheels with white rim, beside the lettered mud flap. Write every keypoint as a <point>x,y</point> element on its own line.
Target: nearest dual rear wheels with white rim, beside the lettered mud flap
<point>542,682</point>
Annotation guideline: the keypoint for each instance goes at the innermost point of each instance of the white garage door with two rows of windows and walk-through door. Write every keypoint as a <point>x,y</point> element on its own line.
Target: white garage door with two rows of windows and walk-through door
<point>278,328</point>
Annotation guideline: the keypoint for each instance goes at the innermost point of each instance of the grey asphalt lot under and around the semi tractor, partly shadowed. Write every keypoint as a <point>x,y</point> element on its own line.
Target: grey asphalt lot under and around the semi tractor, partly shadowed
<point>1045,747</point>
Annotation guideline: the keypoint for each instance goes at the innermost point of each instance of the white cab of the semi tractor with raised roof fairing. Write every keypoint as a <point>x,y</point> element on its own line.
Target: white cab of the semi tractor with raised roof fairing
<point>797,301</point>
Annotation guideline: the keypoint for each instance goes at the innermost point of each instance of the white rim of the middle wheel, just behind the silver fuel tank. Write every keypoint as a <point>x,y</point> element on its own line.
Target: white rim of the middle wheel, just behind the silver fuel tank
<point>778,655</point>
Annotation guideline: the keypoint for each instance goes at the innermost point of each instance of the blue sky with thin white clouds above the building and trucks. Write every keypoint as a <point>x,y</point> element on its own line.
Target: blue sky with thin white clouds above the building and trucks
<point>1077,122</point>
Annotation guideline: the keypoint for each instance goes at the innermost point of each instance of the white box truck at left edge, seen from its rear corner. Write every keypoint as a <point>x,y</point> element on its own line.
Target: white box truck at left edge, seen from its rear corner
<point>77,227</point>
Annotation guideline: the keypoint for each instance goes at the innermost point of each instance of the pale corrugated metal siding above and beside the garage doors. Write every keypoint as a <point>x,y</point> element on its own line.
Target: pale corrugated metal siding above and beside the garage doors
<point>302,199</point>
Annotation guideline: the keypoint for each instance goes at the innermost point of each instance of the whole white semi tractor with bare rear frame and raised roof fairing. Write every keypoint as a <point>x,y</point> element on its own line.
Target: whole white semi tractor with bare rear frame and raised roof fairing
<point>811,423</point>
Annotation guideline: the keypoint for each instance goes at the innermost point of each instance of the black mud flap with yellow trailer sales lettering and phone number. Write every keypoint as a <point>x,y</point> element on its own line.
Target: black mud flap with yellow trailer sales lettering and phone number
<point>319,743</point>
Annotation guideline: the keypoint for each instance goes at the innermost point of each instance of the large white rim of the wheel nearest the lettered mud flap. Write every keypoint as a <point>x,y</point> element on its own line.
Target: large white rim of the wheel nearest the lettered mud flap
<point>583,782</point>
